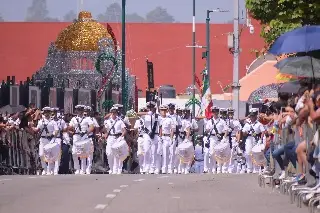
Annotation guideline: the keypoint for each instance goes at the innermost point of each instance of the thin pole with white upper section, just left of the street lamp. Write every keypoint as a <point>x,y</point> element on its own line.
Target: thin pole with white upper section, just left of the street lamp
<point>193,56</point>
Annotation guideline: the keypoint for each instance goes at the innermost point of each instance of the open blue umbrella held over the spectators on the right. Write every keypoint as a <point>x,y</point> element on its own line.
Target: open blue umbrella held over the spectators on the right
<point>303,39</point>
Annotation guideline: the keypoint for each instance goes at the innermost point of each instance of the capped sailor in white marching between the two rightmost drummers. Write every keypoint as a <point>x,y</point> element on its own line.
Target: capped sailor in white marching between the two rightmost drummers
<point>233,133</point>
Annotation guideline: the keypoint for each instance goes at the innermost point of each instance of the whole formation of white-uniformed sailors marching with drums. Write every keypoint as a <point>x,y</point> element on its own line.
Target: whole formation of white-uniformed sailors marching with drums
<point>166,138</point>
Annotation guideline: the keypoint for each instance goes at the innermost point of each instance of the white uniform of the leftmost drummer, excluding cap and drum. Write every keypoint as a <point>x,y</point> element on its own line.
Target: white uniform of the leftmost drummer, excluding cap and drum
<point>47,127</point>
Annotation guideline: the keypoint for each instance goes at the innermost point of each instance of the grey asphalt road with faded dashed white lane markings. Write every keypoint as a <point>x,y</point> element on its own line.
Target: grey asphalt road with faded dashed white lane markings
<point>221,193</point>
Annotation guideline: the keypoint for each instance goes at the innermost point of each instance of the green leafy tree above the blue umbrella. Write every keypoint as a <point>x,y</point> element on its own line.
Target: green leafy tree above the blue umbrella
<point>280,16</point>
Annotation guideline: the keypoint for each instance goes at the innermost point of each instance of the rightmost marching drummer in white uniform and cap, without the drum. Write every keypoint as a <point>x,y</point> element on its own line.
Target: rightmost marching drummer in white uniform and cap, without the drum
<point>253,132</point>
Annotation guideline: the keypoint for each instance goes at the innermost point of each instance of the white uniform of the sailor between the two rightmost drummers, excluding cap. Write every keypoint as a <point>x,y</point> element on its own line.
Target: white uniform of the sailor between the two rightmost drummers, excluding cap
<point>234,127</point>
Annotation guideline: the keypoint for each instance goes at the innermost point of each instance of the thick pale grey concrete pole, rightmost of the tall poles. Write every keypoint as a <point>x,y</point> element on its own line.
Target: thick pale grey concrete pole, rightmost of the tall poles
<point>235,84</point>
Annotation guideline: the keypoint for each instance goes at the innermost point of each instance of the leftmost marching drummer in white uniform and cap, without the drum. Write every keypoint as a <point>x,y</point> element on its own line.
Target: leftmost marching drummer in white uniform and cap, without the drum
<point>48,130</point>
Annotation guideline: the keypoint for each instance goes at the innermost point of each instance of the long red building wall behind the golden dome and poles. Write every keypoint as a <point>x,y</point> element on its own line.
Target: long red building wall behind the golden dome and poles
<point>24,46</point>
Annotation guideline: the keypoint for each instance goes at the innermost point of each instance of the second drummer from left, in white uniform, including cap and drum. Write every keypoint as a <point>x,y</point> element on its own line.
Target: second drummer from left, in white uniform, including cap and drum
<point>82,145</point>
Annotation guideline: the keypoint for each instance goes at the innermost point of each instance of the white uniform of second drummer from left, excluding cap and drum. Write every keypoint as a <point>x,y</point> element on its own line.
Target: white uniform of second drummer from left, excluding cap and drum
<point>84,123</point>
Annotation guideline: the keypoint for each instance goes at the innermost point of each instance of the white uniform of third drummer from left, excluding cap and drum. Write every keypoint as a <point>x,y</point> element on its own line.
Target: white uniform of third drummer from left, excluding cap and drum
<point>114,128</point>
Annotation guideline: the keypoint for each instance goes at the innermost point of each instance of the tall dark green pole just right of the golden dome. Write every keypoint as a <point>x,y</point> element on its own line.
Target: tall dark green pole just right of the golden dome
<point>123,56</point>
